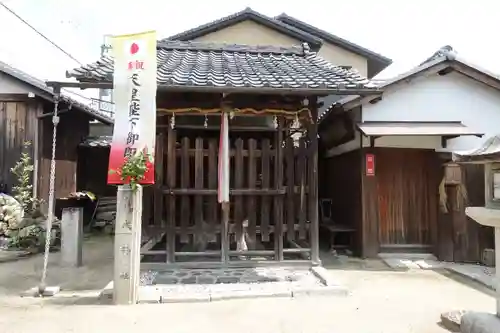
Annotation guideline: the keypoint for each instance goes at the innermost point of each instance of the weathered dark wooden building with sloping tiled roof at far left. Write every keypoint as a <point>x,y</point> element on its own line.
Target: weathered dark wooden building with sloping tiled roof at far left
<point>26,109</point>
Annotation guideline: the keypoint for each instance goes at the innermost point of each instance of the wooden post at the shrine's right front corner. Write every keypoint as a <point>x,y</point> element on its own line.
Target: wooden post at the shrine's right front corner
<point>313,180</point>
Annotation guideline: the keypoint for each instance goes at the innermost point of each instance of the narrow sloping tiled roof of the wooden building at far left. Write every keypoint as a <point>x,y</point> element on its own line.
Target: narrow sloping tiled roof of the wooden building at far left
<point>42,87</point>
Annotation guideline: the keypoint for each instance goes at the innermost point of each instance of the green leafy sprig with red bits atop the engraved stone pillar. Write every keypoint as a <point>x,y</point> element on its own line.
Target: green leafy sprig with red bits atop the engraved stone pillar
<point>134,167</point>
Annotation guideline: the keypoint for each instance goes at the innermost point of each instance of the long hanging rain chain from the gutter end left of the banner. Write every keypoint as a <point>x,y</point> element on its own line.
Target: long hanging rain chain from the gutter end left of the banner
<point>50,217</point>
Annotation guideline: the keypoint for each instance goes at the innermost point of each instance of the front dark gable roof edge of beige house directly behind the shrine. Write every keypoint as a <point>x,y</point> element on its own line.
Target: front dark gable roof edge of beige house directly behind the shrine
<point>248,14</point>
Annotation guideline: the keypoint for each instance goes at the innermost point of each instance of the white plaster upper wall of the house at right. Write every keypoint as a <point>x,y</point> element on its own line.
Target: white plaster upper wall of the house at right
<point>453,97</point>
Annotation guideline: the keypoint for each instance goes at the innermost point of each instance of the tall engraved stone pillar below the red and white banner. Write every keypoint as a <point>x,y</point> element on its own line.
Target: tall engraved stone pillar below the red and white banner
<point>127,245</point>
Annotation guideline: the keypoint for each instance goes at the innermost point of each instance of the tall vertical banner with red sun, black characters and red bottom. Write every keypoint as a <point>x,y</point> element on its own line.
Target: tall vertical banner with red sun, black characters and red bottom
<point>134,93</point>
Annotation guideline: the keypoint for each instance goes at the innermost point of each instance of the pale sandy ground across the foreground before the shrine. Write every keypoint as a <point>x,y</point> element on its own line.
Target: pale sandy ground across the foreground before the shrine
<point>382,301</point>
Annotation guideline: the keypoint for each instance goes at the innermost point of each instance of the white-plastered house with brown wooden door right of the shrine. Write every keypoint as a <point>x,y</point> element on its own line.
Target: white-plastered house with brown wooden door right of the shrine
<point>384,156</point>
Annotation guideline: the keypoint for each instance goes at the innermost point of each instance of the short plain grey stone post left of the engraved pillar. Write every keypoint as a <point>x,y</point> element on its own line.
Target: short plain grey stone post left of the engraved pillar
<point>72,237</point>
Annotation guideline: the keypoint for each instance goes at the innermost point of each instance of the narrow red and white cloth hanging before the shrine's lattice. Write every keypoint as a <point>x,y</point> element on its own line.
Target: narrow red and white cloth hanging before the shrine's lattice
<point>223,194</point>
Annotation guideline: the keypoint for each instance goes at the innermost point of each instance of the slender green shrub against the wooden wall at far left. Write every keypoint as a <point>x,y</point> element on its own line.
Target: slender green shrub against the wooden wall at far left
<point>23,191</point>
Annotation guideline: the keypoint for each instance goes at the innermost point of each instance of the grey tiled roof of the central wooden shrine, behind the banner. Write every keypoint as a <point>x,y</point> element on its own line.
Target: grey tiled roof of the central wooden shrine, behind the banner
<point>195,65</point>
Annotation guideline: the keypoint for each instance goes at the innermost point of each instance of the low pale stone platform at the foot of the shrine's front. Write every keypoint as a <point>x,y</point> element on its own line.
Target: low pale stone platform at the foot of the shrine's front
<point>290,283</point>
